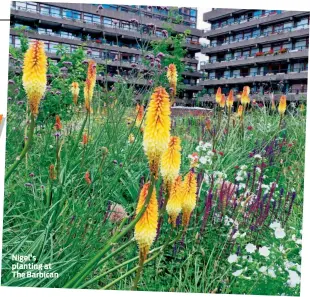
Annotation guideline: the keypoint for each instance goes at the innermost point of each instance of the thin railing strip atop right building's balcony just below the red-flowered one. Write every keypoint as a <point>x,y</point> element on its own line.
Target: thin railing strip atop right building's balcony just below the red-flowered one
<point>260,73</point>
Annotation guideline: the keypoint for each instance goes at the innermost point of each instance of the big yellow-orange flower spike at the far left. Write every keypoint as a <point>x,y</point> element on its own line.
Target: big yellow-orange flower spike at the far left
<point>34,75</point>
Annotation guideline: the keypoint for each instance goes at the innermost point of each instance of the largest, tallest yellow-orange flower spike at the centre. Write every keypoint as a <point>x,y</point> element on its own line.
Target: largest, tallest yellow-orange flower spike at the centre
<point>157,128</point>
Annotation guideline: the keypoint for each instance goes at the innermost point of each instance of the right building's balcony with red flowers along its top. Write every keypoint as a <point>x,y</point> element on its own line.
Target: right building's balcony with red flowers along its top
<point>301,52</point>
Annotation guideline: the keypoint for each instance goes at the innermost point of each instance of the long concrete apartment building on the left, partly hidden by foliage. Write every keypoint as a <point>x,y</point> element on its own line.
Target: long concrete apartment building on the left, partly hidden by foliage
<point>114,35</point>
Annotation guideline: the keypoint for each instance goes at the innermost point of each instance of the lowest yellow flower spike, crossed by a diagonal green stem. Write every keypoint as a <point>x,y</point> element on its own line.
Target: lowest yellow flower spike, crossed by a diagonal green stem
<point>146,227</point>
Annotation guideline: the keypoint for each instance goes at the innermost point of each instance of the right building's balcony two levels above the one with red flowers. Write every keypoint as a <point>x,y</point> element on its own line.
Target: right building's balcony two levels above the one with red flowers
<point>254,22</point>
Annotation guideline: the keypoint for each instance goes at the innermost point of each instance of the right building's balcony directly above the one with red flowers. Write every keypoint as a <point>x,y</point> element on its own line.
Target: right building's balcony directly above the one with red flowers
<point>298,31</point>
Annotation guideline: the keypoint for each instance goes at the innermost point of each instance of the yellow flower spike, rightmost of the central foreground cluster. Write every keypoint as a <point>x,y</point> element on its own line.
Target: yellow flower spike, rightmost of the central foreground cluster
<point>189,197</point>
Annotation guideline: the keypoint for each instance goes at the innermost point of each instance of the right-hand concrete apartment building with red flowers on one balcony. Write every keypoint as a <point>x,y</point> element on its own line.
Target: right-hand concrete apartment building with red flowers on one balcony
<point>265,49</point>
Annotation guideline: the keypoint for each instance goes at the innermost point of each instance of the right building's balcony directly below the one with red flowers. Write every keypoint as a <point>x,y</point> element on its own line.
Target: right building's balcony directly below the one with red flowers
<point>256,77</point>
